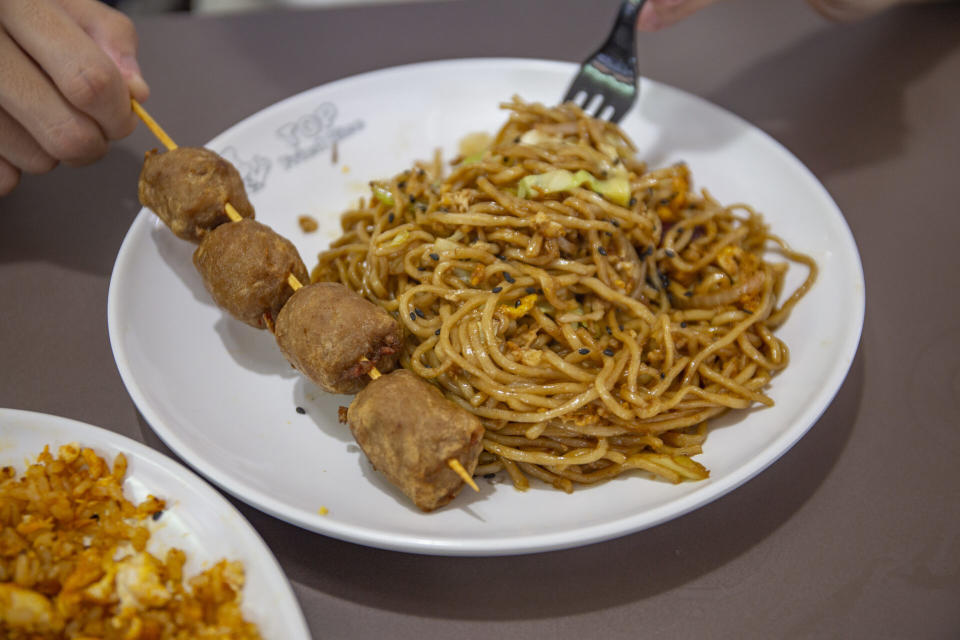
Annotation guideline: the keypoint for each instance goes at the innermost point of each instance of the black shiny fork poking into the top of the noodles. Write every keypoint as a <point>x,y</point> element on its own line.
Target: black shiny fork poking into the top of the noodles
<point>608,78</point>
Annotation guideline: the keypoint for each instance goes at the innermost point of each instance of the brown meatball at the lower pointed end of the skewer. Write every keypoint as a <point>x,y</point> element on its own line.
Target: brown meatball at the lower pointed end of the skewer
<point>409,431</point>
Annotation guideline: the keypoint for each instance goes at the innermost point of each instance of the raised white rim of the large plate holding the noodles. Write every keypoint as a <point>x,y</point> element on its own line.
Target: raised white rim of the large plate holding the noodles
<point>530,543</point>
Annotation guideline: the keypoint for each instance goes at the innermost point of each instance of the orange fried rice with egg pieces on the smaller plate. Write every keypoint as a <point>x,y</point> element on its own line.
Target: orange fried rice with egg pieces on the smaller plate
<point>74,561</point>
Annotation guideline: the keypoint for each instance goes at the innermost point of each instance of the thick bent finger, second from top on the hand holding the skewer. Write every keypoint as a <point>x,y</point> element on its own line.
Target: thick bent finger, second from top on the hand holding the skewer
<point>81,71</point>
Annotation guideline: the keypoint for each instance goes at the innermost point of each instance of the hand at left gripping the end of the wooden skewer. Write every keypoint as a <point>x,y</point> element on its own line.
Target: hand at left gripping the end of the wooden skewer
<point>69,70</point>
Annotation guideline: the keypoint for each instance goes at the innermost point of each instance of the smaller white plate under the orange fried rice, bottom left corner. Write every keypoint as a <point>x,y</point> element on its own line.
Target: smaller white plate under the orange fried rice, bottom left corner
<point>197,519</point>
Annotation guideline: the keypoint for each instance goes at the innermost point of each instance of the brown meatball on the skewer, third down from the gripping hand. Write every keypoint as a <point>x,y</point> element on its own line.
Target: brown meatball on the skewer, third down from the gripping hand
<point>335,337</point>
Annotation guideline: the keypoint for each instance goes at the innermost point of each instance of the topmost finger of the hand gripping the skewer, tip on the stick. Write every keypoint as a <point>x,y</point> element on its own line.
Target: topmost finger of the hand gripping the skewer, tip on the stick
<point>116,35</point>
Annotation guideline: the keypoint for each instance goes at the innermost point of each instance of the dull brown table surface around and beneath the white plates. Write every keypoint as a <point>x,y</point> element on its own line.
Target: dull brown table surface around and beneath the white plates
<point>854,533</point>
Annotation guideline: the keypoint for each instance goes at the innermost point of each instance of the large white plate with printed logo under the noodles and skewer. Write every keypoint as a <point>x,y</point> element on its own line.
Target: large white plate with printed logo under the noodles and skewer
<point>221,395</point>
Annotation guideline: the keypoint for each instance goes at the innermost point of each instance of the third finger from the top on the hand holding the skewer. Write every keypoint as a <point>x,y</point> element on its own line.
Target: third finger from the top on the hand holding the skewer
<point>31,99</point>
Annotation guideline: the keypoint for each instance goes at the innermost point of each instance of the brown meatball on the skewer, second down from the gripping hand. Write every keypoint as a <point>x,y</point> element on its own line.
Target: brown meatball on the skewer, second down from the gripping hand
<point>245,266</point>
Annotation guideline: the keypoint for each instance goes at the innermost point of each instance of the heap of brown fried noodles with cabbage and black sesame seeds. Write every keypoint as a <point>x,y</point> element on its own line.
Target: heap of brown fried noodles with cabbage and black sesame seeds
<point>593,313</point>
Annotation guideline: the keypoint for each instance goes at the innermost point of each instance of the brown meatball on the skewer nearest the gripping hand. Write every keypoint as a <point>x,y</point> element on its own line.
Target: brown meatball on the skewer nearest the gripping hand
<point>188,188</point>
